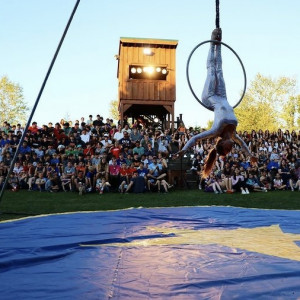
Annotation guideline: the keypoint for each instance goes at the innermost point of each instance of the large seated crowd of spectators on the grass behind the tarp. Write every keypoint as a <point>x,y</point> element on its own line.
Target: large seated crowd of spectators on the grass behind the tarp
<point>97,155</point>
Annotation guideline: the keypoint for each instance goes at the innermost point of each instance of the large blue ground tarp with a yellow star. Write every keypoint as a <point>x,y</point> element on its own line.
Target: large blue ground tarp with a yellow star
<point>168,253</point>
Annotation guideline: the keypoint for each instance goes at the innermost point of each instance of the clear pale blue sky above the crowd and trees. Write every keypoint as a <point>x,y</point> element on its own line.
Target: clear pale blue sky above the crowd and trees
<point>83,81</point>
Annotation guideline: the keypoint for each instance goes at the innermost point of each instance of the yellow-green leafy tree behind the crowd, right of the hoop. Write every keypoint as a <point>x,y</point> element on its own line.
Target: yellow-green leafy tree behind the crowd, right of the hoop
<point>267,104</point>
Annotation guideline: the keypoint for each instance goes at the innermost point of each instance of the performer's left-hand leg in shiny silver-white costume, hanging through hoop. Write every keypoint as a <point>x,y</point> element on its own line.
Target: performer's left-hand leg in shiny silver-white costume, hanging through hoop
<point>210,83</point>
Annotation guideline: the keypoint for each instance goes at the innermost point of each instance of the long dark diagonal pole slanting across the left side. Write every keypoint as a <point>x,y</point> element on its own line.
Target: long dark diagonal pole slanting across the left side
<point>38,99</point>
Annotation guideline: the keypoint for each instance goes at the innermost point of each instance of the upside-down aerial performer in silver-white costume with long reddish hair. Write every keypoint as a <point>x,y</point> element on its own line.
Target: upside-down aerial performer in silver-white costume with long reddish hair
<point>225,121</point>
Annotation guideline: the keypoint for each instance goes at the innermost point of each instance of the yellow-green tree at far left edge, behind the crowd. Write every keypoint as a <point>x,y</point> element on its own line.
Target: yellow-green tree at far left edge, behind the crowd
<point>13,108</point>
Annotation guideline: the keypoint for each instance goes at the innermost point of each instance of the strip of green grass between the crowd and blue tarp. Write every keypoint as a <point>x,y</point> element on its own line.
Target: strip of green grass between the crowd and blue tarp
<point>23,203</point>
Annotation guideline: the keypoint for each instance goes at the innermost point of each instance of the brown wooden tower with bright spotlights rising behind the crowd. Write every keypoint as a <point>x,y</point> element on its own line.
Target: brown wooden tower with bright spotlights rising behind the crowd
<point>147,80</point>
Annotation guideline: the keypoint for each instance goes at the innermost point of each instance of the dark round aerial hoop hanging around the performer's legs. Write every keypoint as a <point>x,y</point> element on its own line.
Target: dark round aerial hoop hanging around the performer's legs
<point>188,76</point>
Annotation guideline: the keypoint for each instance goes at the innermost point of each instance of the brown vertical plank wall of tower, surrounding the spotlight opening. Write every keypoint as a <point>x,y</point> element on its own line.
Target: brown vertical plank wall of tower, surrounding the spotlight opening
<point>143,90</point>
